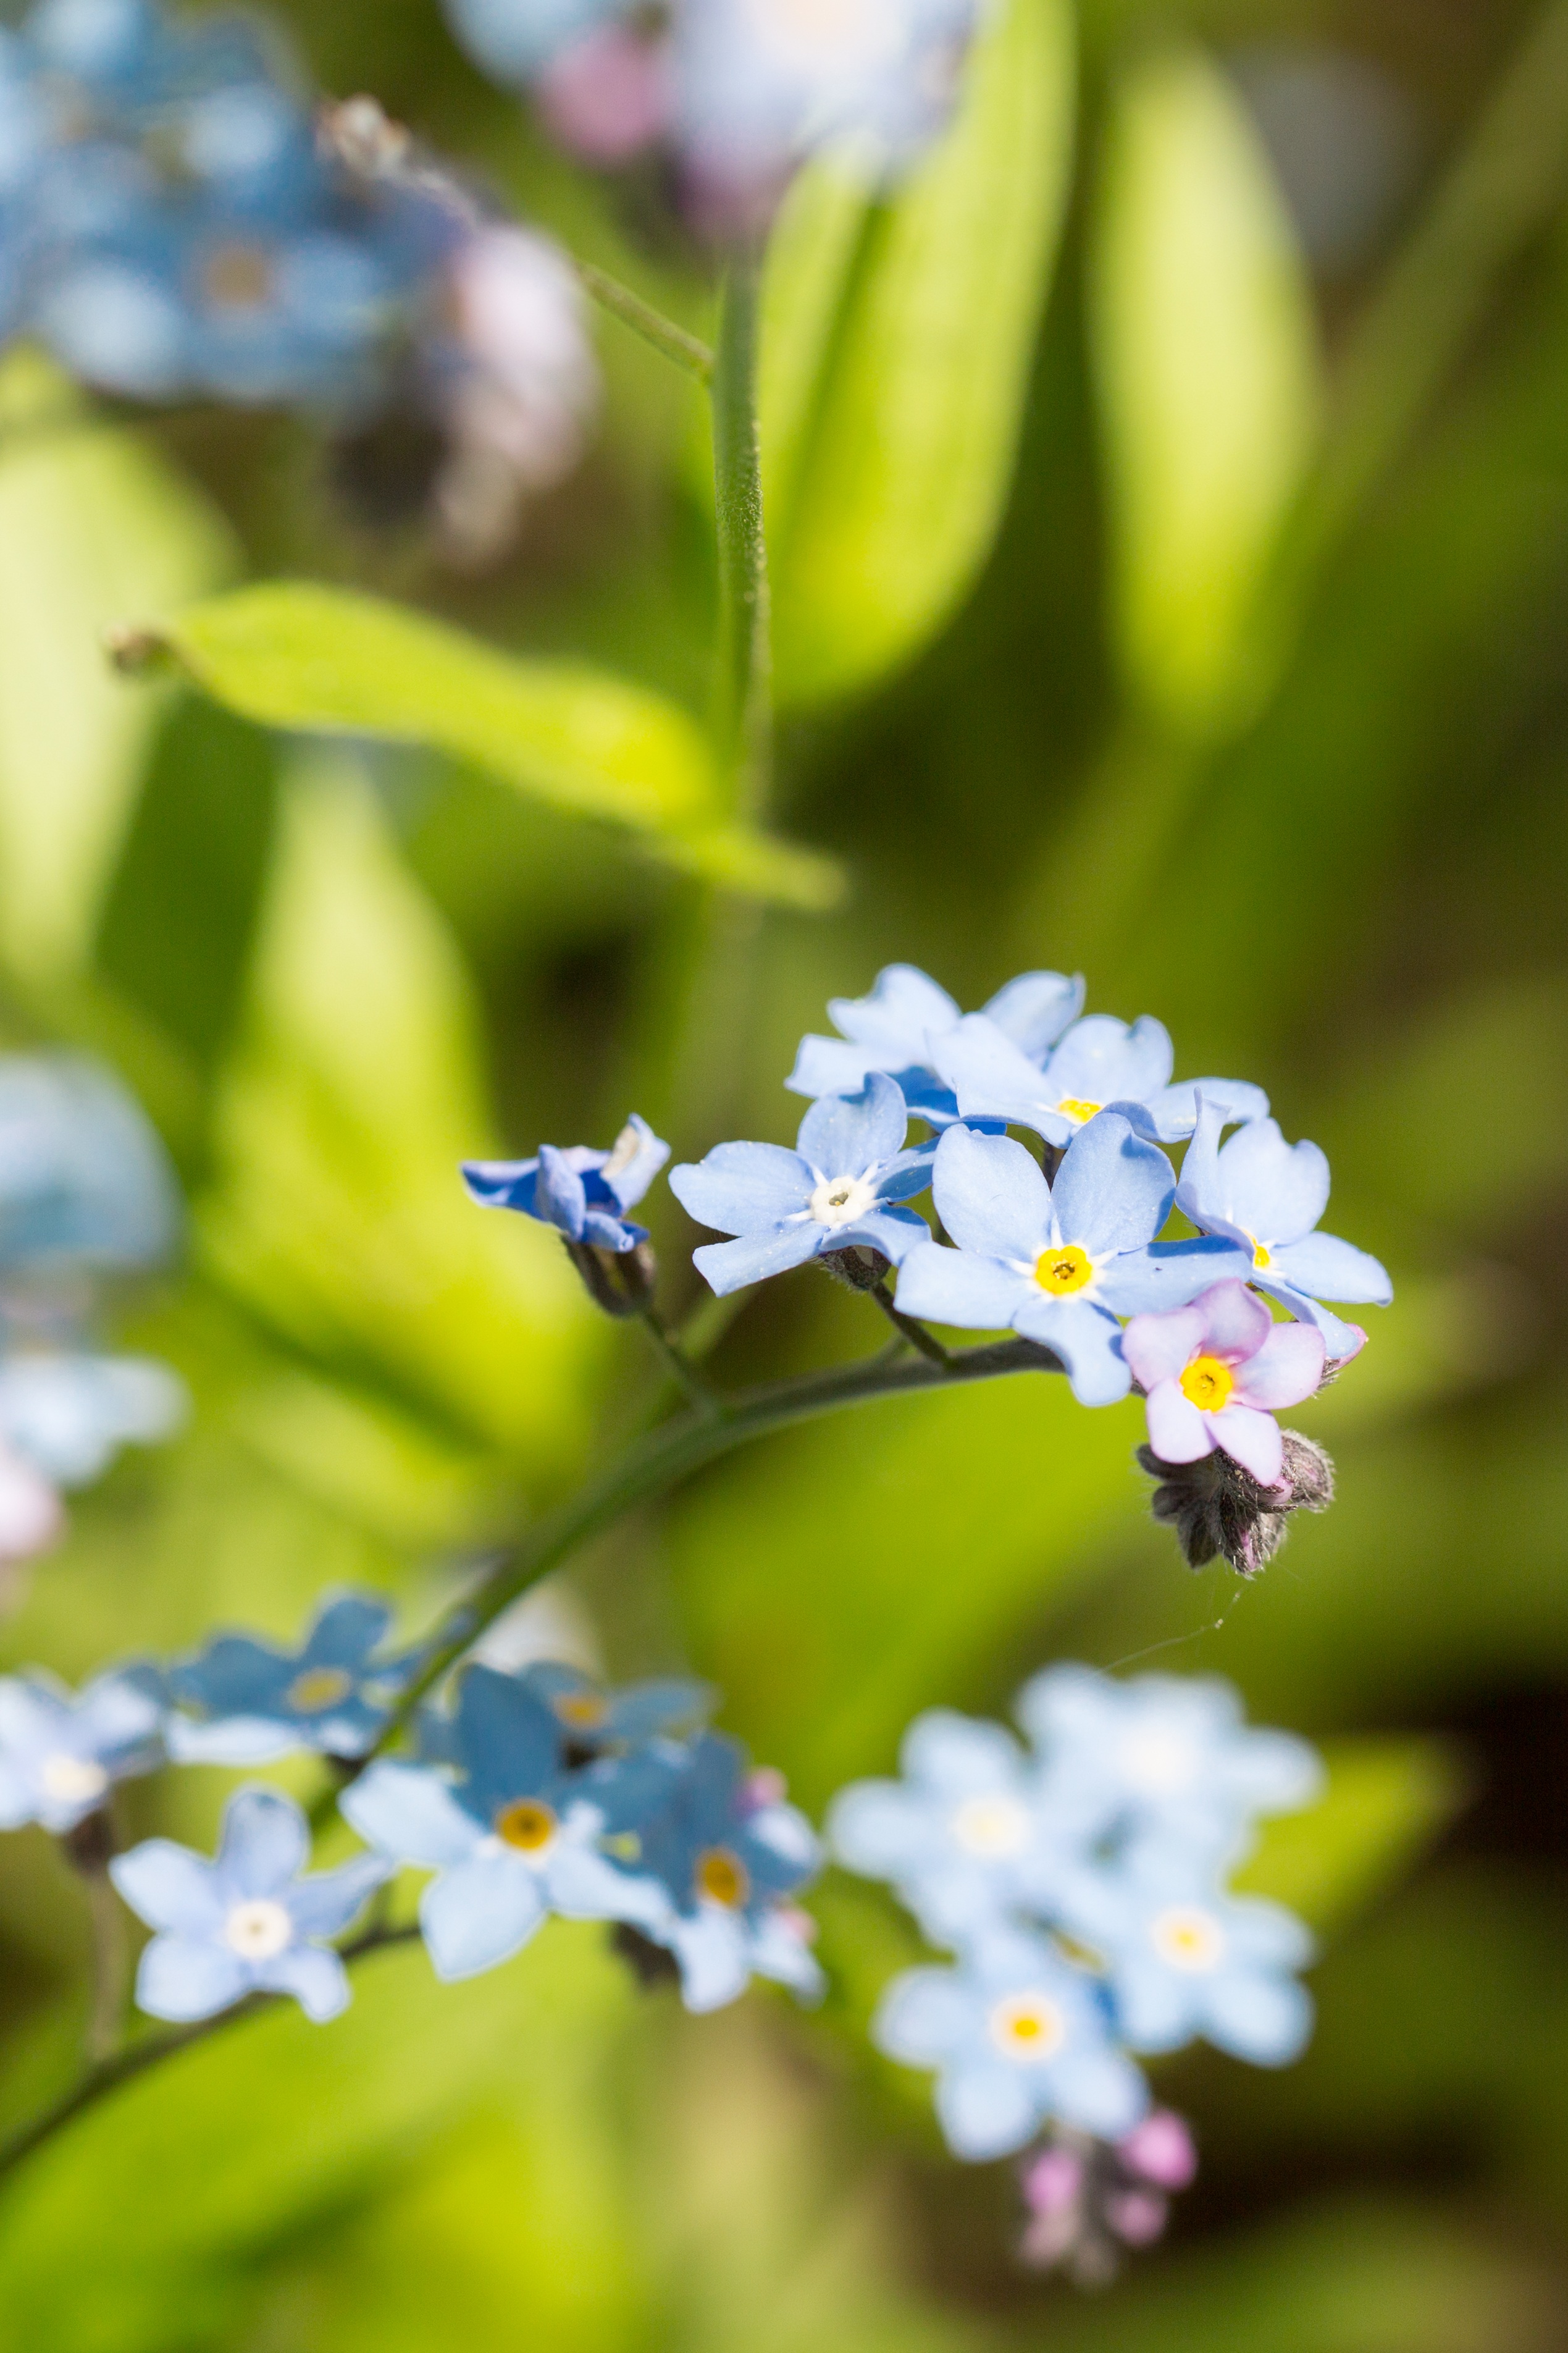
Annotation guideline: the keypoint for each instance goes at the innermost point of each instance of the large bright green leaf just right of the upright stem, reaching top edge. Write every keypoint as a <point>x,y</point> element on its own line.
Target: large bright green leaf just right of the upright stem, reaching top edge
<point>897,361</point>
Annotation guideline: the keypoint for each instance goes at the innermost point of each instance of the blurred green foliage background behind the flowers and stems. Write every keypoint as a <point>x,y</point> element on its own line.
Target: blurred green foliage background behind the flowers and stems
<point>1172,578</point>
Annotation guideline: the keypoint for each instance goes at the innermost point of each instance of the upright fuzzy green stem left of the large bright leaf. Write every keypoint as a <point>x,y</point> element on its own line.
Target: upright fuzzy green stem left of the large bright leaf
<point>744,688</point>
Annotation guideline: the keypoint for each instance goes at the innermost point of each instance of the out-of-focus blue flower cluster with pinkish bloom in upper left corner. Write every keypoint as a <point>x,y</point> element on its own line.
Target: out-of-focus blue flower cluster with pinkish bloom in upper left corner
<point>175,222</point>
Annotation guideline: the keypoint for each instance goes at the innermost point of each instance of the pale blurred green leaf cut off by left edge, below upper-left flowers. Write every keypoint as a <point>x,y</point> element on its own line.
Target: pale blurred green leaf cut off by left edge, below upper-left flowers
<point>93,524</point>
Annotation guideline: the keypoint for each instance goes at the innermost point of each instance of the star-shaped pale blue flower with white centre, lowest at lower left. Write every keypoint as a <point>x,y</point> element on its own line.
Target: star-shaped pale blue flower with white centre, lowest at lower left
<point>246,1921</point>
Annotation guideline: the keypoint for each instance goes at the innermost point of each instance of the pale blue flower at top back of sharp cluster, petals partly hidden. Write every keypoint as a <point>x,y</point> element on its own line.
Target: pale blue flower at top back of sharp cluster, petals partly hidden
<point>892,1032</point>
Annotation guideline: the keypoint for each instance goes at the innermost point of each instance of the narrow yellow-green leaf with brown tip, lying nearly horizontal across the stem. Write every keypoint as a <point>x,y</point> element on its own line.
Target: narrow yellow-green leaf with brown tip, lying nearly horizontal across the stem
<point>330,662</point>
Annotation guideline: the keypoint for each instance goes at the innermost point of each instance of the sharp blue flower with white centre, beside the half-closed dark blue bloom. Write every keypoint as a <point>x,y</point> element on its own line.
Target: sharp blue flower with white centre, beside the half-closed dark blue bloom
<point>843,1185</point>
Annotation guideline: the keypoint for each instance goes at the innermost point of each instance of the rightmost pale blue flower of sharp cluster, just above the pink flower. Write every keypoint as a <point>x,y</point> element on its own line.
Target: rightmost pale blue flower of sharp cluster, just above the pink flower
<point>1268,1197</point>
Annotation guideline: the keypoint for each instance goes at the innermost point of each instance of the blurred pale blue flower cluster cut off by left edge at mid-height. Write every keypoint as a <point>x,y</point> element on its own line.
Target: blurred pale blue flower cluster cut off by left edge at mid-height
<point>86,1197</point>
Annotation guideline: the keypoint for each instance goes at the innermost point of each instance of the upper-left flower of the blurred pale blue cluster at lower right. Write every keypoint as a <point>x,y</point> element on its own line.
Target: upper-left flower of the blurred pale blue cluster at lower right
<point>963,1834</point>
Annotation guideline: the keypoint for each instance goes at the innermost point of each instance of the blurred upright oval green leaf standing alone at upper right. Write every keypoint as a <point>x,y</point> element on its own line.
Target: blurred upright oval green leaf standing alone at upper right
<point>1209,385</point>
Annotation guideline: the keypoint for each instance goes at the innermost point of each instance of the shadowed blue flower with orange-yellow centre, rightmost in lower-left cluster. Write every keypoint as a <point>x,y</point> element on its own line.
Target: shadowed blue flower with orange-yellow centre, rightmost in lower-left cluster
<point>723,1855</point>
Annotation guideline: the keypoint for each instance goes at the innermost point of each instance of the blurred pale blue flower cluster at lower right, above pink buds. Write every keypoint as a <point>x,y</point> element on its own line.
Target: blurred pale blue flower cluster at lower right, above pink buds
<point>1083,1888</point>
